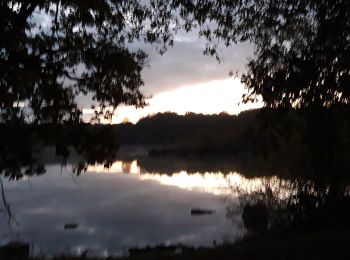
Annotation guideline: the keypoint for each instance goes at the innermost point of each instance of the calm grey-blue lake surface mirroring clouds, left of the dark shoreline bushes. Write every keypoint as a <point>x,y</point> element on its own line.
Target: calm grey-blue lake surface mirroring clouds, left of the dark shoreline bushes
<point>118,208</point>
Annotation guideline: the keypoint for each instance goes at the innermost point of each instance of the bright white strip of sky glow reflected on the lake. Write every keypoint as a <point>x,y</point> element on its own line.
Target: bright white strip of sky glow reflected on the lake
<point>217,183</point>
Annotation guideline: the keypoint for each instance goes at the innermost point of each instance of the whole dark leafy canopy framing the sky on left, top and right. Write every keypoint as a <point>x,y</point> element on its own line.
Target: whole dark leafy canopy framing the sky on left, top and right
<point>54,51</point>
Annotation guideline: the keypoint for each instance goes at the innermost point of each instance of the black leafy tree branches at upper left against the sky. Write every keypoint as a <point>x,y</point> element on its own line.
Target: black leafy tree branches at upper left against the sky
<point>53,51</point>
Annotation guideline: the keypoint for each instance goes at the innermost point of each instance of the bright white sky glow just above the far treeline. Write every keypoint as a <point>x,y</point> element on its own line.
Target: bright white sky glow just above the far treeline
<point>211,97</point>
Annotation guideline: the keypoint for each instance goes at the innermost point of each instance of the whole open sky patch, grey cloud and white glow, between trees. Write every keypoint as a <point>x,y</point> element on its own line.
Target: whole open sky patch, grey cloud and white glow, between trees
<point>184,80</point>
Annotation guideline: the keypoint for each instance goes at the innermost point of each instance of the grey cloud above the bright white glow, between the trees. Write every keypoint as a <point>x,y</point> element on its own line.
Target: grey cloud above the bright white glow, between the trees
<point>184,64</point>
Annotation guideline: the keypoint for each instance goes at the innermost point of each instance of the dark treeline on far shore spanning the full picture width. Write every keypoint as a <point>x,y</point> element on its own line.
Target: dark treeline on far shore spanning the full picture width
<point>284,141</point>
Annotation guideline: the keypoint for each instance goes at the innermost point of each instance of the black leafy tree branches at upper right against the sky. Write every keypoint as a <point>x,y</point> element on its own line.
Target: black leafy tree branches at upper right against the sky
<point>302,47</point>
